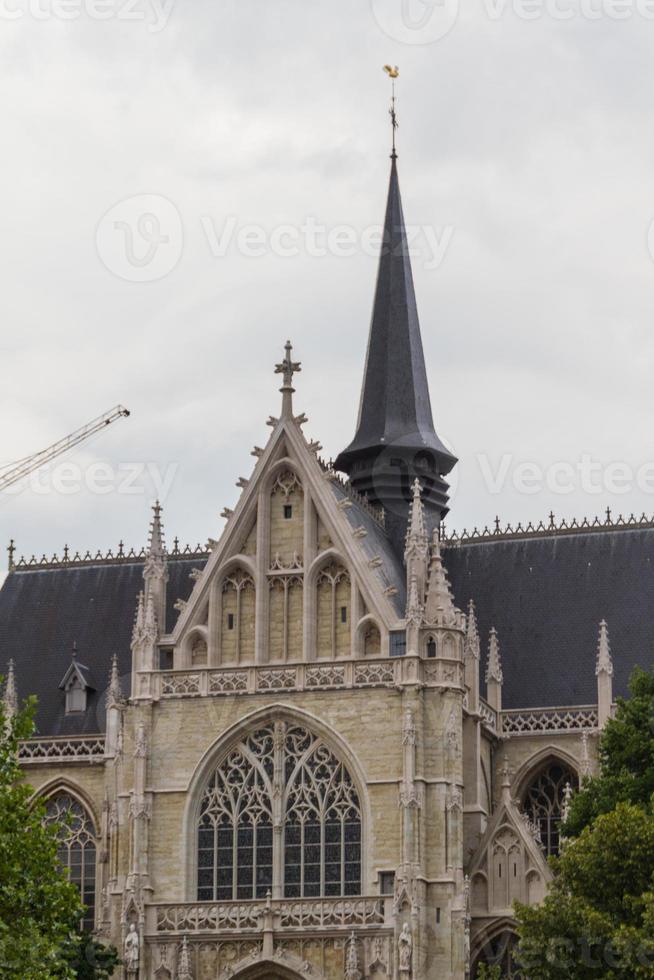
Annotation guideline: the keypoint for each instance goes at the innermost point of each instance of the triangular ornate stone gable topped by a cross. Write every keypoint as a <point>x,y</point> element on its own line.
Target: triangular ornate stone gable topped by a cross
<point>290,578</point>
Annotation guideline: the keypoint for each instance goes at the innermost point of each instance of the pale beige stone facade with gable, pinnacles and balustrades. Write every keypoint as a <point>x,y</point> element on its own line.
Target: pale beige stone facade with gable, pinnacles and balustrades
<point>288,629</point>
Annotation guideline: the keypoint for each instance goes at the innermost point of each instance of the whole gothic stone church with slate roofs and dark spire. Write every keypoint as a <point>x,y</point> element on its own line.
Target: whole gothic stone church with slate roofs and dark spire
<point>336,743</point>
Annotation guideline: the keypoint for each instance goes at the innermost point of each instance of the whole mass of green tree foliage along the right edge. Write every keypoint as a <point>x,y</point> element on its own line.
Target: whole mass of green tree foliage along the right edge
<point>598,918</point>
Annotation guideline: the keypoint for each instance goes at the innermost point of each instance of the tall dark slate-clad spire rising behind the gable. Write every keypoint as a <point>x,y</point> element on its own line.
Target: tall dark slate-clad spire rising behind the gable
<point>395,438</point>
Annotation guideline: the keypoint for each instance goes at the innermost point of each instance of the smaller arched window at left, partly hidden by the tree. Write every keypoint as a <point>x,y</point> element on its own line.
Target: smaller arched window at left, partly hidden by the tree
<point>77,847</point>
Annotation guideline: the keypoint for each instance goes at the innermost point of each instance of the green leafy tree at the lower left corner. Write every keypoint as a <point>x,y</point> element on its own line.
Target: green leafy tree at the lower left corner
<point>40,910</point>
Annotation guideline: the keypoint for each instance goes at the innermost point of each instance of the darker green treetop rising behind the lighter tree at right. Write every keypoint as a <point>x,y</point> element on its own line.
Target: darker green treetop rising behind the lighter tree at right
<point>626,753</point>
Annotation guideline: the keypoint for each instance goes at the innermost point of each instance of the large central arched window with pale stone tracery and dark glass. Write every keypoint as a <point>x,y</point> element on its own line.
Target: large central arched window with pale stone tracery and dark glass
<point>279,776</point>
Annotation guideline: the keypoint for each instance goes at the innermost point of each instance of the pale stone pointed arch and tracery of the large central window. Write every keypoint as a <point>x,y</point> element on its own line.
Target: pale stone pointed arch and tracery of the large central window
<point>342,770</point>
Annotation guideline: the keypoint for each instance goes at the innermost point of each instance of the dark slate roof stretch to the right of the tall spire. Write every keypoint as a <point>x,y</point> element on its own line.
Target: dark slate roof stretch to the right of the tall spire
<point>546,597</point>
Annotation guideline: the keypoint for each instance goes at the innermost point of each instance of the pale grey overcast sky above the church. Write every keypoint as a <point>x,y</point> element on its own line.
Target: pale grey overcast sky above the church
<point>147,156</point>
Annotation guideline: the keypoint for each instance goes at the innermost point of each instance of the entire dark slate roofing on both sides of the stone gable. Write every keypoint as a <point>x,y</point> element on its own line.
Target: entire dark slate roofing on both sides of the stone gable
<point>545,595</point>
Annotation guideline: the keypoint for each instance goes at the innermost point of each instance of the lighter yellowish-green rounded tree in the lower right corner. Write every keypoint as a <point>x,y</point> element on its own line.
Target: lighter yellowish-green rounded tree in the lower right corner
<point>597,921</point>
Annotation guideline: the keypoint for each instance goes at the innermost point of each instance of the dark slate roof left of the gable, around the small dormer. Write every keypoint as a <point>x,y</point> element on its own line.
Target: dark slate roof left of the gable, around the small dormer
<point>43,612</point>
